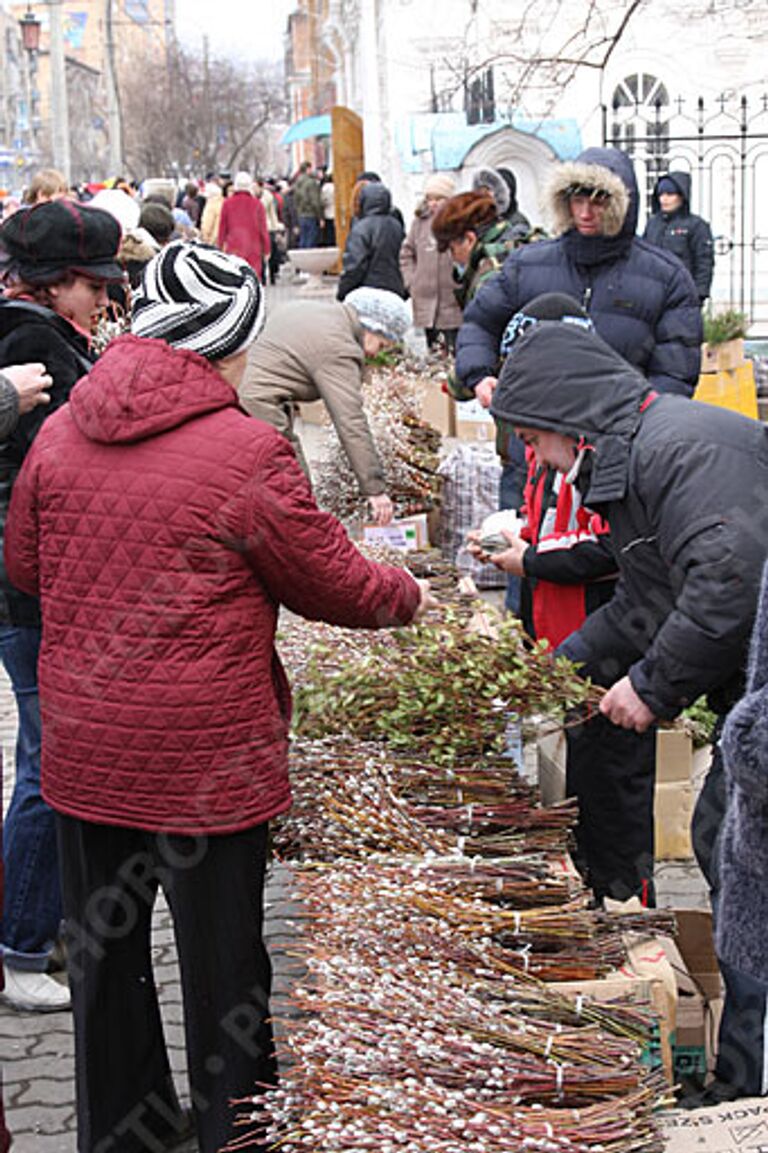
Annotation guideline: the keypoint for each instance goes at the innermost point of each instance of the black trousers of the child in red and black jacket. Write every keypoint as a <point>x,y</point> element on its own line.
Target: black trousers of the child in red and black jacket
<point>613,773</point>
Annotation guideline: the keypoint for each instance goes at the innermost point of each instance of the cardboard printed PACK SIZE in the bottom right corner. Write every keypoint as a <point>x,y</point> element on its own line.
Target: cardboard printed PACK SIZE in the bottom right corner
<point>741,1127</point>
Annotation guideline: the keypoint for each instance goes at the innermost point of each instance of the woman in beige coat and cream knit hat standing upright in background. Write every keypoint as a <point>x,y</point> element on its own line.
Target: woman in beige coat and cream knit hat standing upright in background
<point>428,274</point>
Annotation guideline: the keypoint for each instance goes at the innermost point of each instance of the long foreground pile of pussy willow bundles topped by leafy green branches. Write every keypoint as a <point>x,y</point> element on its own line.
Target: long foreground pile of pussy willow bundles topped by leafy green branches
<point>433,913</point>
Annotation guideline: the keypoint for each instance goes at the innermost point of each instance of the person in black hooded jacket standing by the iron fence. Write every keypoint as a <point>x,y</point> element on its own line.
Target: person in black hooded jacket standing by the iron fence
<point>675,228</point>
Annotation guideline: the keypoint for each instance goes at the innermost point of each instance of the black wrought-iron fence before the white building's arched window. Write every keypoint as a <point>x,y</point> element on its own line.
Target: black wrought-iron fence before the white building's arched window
<point>726,152</point>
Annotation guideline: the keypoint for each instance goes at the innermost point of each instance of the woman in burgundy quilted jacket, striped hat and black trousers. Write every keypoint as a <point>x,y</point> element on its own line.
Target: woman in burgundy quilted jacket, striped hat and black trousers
<point>163,527</point>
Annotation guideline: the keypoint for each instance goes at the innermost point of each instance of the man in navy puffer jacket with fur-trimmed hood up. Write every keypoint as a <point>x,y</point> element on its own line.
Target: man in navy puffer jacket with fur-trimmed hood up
<point>641,300</point>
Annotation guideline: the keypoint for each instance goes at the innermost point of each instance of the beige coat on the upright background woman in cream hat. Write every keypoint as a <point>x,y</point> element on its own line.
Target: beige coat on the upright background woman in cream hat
<point>428,277</point>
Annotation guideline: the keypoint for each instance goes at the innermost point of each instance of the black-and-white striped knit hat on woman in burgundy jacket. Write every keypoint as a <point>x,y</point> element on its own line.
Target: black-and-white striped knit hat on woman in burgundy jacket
<point>195,297</point>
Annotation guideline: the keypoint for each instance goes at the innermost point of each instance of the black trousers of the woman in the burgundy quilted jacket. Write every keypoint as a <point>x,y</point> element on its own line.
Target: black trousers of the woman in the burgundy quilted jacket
<point>110,878</point>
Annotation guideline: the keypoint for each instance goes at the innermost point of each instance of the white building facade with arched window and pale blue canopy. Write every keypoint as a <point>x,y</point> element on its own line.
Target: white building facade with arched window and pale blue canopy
<point>451,86</point>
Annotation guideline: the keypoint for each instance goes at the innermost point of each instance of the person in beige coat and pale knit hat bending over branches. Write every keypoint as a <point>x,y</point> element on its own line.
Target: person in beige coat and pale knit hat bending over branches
<point>317,351</point>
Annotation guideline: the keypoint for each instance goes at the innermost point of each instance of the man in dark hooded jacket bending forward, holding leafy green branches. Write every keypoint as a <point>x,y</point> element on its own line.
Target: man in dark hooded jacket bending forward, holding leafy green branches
<point>684,487</point>
